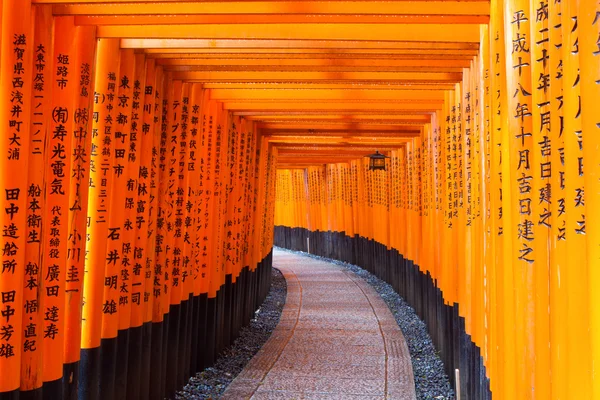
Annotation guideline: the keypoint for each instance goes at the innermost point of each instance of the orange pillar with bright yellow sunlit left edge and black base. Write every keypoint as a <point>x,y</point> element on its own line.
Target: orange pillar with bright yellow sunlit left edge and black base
<point>99,197</point>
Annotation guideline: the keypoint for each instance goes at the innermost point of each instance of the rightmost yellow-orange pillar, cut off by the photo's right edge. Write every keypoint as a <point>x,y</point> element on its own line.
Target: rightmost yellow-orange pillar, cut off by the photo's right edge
<point>589,18</point>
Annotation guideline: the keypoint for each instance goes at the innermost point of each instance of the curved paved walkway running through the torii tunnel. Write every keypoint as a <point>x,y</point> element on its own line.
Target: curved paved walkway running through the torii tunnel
<point>336,340</point>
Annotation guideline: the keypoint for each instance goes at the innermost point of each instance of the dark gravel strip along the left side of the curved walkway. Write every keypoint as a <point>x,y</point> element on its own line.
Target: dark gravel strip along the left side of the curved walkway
<point>212,382</point>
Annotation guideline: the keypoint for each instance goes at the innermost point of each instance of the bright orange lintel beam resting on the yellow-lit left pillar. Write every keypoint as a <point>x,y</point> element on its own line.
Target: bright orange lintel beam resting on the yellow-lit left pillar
<point>463,33</point>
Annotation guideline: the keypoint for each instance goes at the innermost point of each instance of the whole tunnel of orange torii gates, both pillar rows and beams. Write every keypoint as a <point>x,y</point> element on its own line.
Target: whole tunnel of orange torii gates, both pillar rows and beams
<point>151,154</point>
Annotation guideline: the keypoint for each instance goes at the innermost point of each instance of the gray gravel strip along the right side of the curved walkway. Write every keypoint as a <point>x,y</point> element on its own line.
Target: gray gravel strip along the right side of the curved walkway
<point>431,381</point>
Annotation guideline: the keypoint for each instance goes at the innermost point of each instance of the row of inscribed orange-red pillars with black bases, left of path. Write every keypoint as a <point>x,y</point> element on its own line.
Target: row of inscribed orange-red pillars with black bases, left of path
<point>136,216</point>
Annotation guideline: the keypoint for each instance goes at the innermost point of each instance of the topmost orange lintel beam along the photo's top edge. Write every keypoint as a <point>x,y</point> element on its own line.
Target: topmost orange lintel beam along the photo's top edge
<point>363,8</point>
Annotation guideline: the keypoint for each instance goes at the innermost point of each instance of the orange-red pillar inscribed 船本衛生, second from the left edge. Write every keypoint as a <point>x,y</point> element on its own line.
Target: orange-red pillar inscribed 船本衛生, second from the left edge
<point>31,362</point>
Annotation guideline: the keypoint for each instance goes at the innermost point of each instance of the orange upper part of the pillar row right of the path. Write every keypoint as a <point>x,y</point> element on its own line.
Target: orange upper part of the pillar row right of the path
<point>498,199</point>
